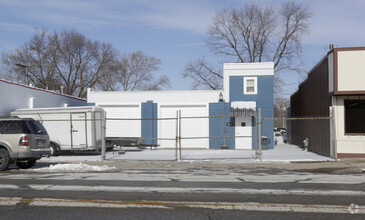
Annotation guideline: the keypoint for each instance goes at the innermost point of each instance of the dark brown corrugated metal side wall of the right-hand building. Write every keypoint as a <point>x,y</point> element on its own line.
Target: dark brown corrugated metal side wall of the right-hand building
<point>312,100</point>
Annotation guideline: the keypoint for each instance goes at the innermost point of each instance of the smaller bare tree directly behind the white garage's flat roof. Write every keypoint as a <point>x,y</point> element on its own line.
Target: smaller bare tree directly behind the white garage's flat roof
<point>135,71</point>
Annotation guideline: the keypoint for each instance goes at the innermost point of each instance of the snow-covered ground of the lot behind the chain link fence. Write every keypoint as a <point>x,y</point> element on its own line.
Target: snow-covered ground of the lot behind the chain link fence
<point>282,153</point>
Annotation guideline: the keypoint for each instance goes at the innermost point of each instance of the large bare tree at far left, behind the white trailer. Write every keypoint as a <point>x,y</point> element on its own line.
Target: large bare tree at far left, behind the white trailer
<point>66,59</point>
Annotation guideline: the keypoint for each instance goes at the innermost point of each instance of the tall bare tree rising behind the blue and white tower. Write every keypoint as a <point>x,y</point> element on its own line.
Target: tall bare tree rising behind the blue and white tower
<point>258,33</point>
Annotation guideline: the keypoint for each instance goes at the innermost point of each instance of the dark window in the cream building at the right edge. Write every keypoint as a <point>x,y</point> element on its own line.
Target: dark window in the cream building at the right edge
<point>355,116</point>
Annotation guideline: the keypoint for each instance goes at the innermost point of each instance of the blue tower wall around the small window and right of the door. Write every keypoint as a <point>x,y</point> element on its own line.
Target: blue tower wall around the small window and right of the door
<point>264,99</point>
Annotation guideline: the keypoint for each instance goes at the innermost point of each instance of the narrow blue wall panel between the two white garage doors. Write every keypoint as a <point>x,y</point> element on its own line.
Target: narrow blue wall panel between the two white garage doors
<point>149,127</point>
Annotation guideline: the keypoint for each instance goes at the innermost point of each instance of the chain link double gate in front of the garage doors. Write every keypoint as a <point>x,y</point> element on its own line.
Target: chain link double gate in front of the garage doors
<point>188,137</point>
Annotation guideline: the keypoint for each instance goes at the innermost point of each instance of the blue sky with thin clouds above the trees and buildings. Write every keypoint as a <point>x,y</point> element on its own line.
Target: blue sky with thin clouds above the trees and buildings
<point>172,30</point>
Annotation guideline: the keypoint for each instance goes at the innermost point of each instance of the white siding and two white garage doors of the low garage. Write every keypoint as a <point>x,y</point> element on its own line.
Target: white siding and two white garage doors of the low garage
<point>128,105</point>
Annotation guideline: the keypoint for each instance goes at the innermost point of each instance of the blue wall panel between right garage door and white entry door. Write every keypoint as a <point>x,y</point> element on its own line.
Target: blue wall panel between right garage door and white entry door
<point>218,126</point>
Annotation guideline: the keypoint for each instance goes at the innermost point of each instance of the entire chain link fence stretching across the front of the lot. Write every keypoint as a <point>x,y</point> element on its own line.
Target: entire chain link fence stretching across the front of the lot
<point>188,137</point>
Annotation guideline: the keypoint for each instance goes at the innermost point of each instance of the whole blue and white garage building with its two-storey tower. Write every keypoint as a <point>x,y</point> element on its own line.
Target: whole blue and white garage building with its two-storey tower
<point>247,87</point>
